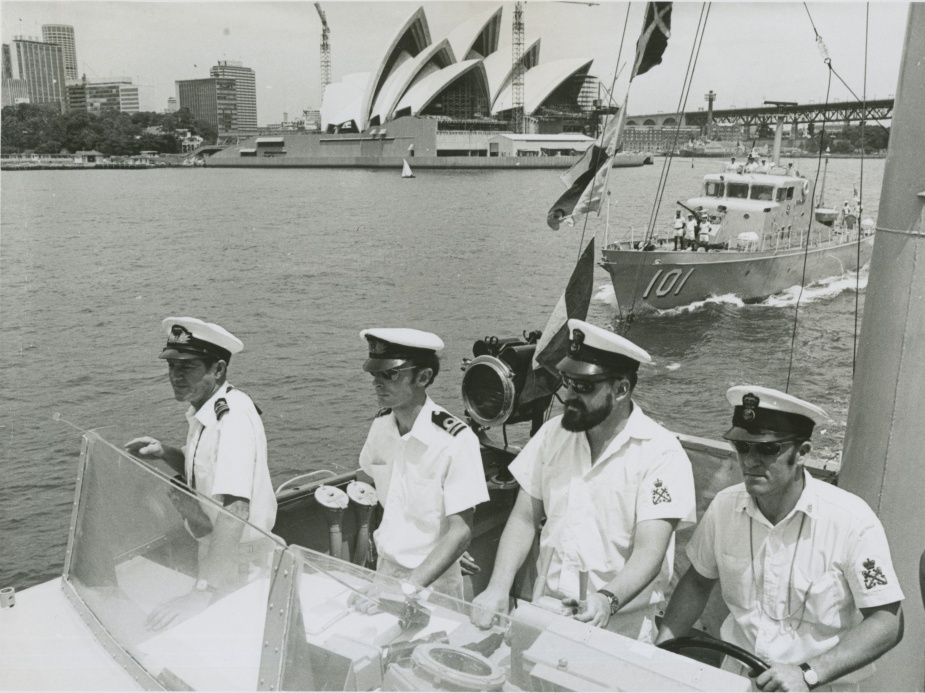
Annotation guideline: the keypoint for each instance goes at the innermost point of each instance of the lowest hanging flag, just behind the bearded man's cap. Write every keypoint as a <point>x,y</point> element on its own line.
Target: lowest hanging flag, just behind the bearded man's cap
<point>553,345</point>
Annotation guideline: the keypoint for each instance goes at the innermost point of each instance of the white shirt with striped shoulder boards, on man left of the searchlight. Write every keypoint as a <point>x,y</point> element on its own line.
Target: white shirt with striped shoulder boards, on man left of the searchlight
<point>422,477</point>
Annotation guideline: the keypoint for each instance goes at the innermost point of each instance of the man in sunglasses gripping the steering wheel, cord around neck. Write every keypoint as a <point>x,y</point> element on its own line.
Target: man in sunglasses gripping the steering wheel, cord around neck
<point>803,566</point>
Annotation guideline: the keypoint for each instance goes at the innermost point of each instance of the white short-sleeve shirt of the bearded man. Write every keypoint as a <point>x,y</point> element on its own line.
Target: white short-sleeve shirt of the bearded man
<point>592,510</point>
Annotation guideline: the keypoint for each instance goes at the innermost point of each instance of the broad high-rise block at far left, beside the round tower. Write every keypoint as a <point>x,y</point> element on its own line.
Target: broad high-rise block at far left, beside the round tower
<point>40,66</point>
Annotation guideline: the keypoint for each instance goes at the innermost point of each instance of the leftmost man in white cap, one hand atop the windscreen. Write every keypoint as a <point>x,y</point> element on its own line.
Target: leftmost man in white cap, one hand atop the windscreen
<point>225,459</point>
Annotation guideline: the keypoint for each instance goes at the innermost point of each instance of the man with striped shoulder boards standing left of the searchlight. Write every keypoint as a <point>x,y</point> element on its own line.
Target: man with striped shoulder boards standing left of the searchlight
<point>426,464</point>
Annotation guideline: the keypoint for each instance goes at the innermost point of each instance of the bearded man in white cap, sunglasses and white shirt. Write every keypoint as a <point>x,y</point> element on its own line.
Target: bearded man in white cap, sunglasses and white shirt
<point>613,486</point>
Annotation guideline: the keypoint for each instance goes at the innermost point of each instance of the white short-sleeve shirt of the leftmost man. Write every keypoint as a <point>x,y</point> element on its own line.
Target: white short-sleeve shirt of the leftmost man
<point>229,456</point>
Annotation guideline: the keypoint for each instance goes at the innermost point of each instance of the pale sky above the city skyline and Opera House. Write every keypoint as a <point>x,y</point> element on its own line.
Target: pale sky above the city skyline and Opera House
<point>751,52</point>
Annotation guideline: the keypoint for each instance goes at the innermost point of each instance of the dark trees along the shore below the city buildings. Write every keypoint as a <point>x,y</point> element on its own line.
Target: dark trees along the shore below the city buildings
<point>32,128</point>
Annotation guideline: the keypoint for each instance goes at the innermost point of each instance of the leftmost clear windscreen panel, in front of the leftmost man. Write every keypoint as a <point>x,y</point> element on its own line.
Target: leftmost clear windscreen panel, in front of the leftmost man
<point>137,558</point>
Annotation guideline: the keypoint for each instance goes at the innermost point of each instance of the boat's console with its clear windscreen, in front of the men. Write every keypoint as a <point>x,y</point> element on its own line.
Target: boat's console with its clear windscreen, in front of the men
<point>289,618</point>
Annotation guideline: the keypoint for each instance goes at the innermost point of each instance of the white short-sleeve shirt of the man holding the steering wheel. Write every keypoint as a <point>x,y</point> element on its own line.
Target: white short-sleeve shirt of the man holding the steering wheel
<point>840,562</point>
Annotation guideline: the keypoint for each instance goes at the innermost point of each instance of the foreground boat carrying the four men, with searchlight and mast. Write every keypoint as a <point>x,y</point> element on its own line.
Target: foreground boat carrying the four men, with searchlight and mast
<point>291,623</point>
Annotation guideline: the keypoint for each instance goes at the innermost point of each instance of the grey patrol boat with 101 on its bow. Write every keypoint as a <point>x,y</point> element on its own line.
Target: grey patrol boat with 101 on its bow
<point>767,242</point>
